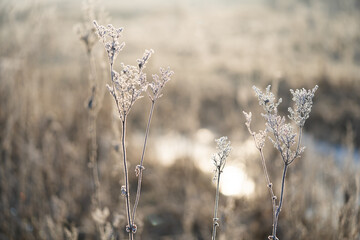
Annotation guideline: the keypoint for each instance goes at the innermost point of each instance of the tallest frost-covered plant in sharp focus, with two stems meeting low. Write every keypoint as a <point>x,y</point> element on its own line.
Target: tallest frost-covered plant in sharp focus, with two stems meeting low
<point>127,86</point>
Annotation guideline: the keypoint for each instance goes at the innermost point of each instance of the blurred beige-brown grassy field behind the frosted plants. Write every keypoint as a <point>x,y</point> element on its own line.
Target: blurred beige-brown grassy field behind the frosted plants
<point>218,51</point>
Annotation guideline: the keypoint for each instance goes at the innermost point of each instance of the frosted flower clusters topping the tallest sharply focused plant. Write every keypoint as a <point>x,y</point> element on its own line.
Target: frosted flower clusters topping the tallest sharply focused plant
<point>129,84</point>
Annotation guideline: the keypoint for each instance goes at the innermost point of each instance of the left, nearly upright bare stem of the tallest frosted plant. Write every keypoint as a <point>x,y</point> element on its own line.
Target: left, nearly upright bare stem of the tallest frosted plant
<point>126,178</point>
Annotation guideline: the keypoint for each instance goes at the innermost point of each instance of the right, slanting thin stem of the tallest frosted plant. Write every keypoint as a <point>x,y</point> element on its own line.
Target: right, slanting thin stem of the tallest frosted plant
<point>140,167</point>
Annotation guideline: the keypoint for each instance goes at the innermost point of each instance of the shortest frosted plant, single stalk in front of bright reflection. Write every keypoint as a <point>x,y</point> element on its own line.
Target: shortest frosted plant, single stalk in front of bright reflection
<point>219,160</point>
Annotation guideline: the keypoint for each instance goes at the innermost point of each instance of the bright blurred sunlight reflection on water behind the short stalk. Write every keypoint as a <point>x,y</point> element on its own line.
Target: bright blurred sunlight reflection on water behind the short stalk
<point>234,180</point>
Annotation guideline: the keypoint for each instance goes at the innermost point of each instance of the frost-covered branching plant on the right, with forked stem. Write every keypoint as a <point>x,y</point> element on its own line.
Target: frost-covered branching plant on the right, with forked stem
<point>283,137</point>
